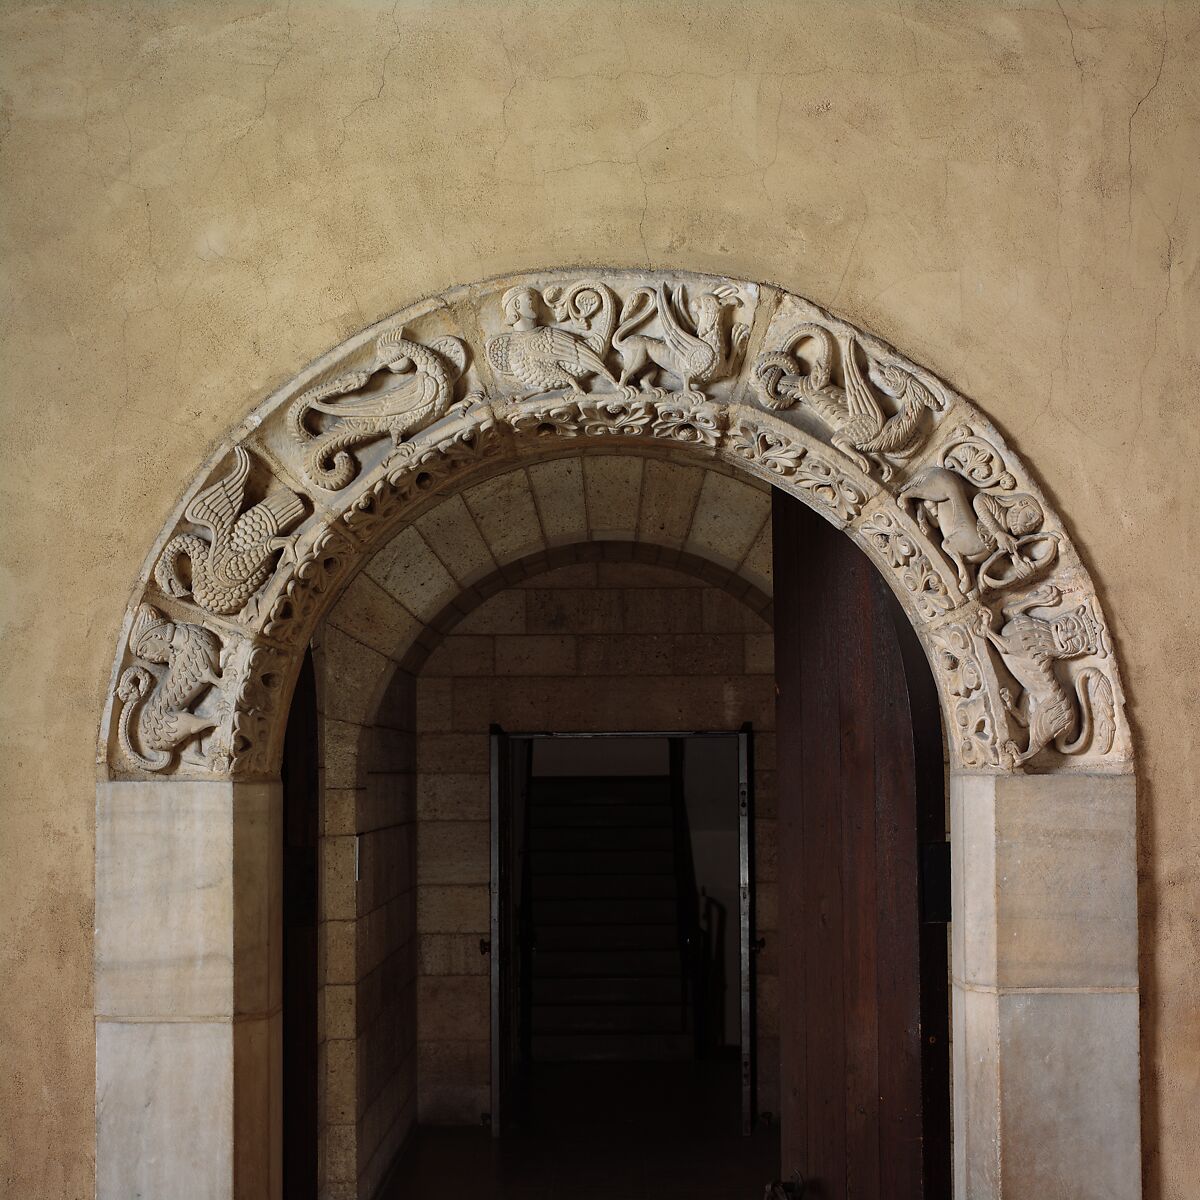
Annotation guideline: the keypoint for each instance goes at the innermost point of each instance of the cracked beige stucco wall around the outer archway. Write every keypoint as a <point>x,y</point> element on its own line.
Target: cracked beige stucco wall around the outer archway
<point>201,197</point>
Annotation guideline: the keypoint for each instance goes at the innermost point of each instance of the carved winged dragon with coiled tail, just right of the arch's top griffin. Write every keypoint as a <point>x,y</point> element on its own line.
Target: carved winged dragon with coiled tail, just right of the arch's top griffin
<point>861,430</point>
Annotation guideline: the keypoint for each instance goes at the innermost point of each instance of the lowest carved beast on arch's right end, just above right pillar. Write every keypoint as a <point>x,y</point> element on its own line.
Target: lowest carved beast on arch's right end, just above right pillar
<point>1030,647</point>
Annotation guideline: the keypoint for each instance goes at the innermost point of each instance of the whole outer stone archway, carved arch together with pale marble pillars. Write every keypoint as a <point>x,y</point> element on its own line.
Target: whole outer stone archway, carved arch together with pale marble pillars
<point>451,395</point>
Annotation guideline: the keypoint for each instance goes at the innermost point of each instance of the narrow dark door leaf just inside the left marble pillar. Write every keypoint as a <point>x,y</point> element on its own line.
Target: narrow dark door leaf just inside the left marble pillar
<point>301,842</point>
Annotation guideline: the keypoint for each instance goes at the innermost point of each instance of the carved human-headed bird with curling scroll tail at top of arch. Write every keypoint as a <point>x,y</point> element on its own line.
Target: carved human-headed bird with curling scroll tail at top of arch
<point>544,358</point>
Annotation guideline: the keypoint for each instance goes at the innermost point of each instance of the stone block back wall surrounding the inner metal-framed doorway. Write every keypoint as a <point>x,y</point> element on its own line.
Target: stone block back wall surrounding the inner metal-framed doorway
<point>596,646</point>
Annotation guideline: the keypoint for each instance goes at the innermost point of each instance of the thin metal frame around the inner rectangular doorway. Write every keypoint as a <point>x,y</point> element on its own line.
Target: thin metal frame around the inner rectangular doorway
<point>502,739</point>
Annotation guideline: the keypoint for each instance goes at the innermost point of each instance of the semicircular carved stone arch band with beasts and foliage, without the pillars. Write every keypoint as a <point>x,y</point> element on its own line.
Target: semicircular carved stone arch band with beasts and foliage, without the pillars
<point>469,385</point>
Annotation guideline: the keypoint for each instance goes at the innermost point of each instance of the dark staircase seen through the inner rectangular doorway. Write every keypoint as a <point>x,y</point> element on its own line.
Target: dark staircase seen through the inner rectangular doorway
<point>603,886</point>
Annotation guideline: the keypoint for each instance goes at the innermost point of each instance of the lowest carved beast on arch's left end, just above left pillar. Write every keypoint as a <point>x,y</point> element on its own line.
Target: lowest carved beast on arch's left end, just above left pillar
<point>163,705</point>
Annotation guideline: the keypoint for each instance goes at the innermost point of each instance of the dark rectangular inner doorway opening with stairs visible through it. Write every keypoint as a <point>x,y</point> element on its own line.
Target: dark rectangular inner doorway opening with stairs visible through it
<point>622,927</point>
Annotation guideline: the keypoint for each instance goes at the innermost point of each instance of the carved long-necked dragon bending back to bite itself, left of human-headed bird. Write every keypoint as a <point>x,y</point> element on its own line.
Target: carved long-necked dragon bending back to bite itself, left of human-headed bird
<point>421,395</point>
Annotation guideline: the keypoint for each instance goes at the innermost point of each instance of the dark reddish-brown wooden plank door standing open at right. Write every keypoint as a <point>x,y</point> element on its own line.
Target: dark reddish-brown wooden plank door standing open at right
<point>865,1011</point>
